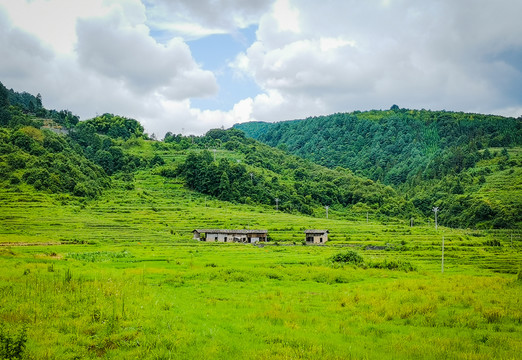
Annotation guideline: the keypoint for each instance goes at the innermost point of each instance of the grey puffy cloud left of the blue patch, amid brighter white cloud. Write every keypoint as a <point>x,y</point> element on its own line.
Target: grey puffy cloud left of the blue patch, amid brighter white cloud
<point>122,51</point>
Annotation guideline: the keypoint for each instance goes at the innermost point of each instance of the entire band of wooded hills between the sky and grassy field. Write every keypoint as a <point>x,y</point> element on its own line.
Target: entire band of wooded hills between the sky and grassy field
<point>396,163</point>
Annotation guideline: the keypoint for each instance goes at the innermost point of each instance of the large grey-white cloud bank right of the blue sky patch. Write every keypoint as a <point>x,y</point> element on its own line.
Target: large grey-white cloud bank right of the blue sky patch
<point>359,55</point>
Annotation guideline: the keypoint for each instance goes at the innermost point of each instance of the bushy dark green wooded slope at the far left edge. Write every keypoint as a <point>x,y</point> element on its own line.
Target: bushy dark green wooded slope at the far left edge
<point>77,162</point>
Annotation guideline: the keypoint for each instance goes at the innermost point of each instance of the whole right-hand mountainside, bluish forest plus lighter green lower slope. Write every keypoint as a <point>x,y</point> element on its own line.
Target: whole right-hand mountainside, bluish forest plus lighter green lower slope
<point>468,165</point>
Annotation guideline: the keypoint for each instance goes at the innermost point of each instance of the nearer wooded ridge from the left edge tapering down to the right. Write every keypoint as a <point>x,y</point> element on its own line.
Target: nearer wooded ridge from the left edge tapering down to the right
<point>81,161</point>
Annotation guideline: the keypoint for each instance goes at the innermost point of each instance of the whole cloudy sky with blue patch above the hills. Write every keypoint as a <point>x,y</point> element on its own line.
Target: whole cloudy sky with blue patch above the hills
<point>187,66</point>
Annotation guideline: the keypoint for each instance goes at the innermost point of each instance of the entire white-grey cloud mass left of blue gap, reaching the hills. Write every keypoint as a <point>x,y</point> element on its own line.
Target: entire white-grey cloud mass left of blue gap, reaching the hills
<point>103,59</point>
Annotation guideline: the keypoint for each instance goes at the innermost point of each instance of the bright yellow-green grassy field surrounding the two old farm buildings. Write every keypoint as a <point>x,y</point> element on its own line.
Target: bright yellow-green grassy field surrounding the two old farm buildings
<point>120,277</point>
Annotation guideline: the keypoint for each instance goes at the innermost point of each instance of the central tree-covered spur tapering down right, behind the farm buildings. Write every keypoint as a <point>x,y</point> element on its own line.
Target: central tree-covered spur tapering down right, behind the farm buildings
<point>269,173</point>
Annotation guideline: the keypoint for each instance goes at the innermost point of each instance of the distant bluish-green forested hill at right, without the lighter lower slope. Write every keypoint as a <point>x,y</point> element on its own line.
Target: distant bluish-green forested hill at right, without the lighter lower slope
<point>394,146</point>
